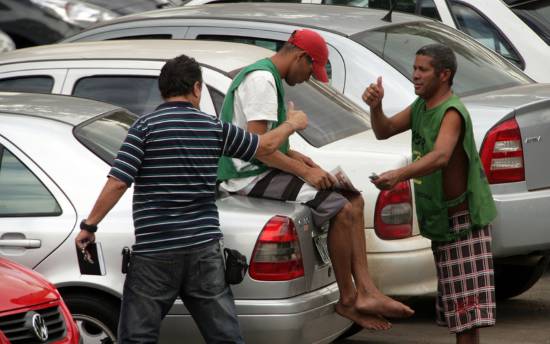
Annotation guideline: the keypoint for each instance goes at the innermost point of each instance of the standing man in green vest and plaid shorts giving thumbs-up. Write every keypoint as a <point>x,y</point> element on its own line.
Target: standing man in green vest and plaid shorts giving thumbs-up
<point>454,204</point>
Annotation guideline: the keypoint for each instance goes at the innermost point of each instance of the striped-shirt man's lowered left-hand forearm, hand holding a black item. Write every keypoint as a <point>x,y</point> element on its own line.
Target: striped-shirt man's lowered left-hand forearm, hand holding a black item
<point>109,196</point>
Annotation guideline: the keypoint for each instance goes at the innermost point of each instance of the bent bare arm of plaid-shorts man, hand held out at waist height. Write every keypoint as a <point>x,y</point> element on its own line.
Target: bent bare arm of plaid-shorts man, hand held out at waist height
<point>438,158</point>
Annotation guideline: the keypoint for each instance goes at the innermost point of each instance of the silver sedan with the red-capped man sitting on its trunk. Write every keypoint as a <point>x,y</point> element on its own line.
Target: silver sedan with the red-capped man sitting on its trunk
<point>54,156</point>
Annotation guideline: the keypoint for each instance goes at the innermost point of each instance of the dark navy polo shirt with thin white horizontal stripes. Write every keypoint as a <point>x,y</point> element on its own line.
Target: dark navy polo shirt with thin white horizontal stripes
<point>172,157</point>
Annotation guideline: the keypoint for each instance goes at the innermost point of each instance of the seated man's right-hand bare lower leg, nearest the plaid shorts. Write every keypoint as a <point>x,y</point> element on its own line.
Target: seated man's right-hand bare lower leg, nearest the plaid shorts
<point>369,298</point>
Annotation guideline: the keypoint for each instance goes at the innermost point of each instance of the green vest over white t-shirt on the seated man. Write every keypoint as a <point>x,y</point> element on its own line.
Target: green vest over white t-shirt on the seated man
<point>226,169</point>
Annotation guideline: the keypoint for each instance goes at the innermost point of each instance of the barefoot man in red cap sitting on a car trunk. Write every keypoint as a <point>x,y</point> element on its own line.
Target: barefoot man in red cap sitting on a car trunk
<point>255,101</point>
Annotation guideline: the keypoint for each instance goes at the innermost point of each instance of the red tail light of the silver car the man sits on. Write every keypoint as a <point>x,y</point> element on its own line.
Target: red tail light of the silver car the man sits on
<point>277,255</point>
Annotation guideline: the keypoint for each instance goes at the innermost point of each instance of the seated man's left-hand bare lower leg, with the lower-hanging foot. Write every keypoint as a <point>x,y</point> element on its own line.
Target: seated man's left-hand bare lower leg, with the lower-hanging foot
<point>340,255</point>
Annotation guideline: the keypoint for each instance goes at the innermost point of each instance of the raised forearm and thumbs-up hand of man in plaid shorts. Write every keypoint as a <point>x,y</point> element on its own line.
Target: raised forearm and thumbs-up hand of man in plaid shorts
<point>383,126</point>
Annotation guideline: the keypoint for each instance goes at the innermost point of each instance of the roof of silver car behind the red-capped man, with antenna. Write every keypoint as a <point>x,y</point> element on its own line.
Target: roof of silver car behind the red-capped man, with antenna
<point>344,20</point>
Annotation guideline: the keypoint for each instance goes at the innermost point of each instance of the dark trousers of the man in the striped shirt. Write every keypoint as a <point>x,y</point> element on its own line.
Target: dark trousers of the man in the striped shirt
<point>197,276</point>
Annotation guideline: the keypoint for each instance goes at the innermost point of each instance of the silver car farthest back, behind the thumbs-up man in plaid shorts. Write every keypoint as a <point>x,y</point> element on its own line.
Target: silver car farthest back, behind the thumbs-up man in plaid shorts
<point>509,112</point>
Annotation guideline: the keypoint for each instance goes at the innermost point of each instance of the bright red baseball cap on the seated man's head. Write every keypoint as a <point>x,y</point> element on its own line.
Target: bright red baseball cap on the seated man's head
<point>315,46</point>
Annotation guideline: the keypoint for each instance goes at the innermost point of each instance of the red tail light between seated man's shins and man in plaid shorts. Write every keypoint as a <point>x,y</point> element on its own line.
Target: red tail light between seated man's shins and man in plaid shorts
<point>393,213</point>
